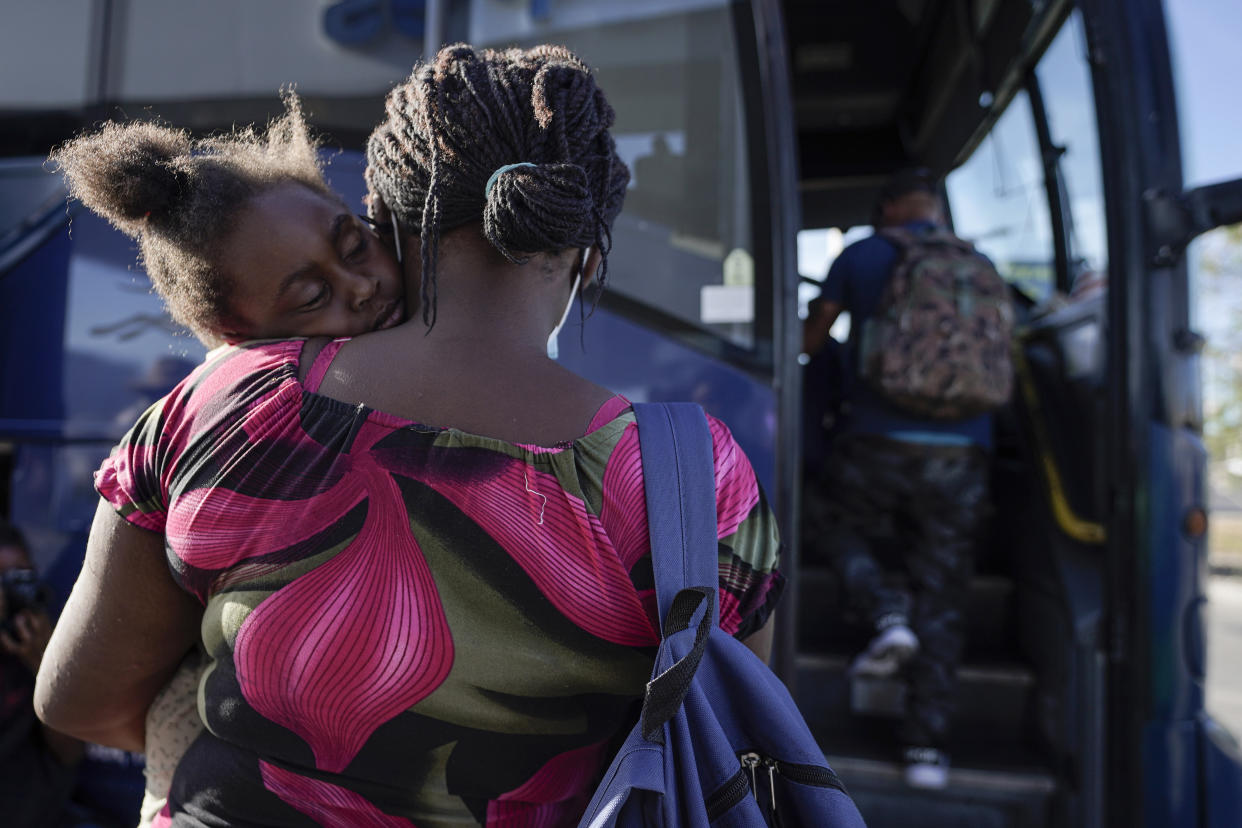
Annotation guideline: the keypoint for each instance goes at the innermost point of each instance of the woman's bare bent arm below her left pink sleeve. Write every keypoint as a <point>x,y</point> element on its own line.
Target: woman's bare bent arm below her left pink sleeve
<point>125,630</point>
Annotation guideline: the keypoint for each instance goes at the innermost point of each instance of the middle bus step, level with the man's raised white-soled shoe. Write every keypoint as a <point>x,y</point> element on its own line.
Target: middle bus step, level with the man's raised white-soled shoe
<point>994,702</point>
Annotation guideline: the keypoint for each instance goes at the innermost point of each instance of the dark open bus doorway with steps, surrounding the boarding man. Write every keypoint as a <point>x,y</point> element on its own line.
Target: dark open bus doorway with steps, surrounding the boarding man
<point>1023,747</point>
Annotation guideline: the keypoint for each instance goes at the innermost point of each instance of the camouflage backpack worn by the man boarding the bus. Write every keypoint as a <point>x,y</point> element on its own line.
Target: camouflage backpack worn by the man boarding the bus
<point>938,346</point>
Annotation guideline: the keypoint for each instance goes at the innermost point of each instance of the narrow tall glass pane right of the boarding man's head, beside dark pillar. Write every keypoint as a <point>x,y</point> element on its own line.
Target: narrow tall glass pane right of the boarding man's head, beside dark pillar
<point>1065,81</point>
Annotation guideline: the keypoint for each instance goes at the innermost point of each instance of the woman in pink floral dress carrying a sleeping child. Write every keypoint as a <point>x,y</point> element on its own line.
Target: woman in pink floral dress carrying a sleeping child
<point>407,624</point>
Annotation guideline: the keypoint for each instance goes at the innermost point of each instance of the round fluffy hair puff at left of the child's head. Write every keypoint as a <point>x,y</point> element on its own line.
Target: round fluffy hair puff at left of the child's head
<point>129,173</point>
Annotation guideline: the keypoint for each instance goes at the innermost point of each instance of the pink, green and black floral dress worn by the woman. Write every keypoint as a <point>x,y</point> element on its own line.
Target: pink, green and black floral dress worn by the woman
<point>408,625</point>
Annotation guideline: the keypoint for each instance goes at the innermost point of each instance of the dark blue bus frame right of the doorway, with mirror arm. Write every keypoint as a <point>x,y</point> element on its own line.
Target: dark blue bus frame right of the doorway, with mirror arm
<point>1161,740</point>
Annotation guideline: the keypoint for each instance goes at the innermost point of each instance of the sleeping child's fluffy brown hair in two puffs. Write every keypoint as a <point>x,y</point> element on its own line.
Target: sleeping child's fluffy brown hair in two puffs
<point>181,198</point>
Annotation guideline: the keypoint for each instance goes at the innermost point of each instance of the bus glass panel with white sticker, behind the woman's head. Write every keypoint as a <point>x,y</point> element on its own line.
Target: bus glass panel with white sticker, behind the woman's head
<point>682,245</point>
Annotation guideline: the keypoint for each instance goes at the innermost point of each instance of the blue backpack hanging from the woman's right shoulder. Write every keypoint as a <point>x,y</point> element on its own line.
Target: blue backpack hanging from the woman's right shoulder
<point>720,740</point>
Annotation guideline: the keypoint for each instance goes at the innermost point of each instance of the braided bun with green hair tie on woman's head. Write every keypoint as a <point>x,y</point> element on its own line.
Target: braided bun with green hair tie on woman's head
<point>540,208</point>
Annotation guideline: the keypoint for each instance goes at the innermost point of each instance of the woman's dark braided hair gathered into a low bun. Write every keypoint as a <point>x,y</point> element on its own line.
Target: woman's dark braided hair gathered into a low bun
<point>466,115</point>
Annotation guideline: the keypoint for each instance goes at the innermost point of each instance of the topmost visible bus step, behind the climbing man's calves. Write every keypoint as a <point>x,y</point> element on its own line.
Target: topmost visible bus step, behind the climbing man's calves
<point>823,624</point>
